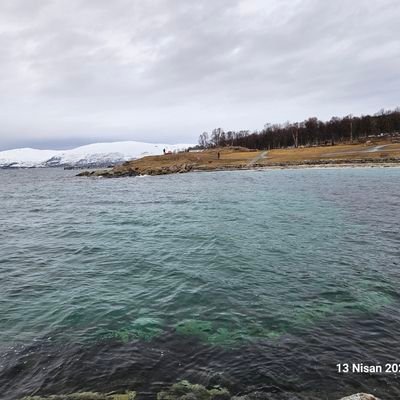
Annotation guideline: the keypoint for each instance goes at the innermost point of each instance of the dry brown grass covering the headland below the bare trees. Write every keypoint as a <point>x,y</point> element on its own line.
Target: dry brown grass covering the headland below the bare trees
<point>232,158</point>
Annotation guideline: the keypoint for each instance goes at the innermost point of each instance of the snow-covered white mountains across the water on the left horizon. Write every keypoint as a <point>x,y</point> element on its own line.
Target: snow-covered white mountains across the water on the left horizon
<point>92,155</point>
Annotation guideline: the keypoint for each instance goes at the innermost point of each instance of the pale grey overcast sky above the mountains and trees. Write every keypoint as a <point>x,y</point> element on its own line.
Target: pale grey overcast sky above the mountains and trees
<point>74,72</point>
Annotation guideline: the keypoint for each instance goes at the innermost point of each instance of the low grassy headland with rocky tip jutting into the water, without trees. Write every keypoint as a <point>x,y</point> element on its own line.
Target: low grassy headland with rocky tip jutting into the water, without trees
<point>372,153</point>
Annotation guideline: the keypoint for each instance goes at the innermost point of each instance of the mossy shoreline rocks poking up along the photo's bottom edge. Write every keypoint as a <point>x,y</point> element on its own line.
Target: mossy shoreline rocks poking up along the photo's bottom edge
<point>185,391</point>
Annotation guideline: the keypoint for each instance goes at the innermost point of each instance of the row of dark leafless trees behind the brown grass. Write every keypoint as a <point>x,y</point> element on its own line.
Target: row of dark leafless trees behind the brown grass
<point>311,132</point>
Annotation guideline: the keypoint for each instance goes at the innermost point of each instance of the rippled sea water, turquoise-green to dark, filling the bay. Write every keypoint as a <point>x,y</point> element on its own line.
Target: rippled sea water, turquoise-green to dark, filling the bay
<point>254,280</point>
